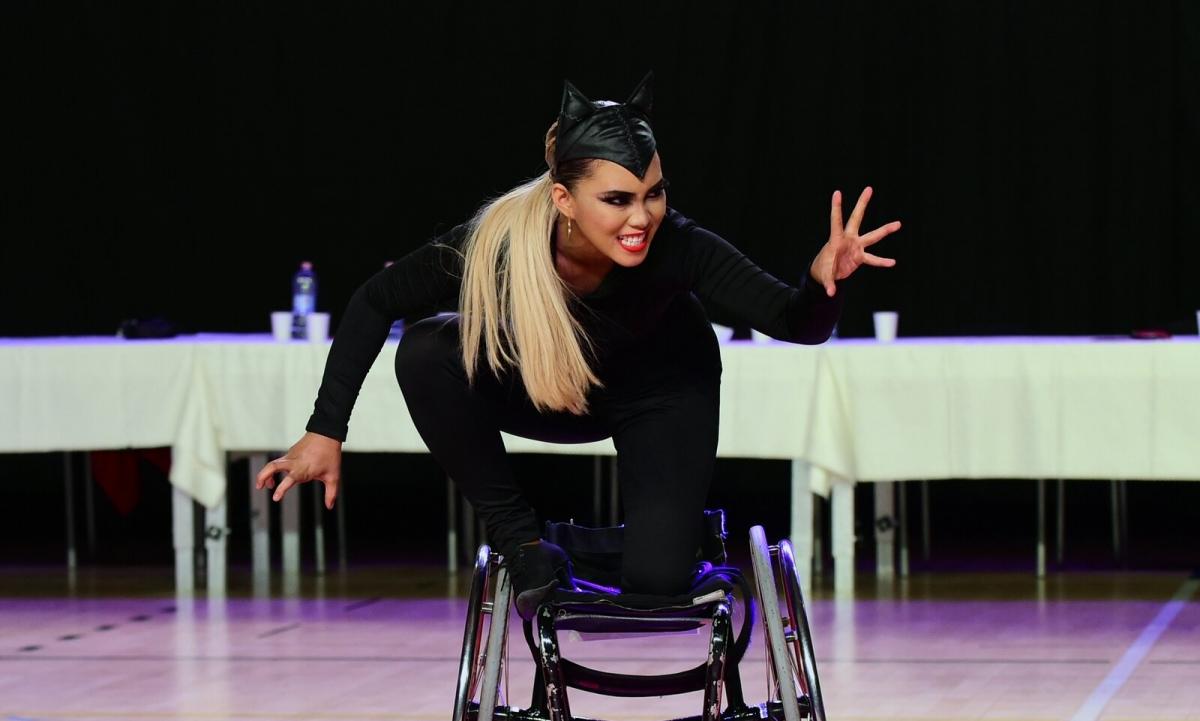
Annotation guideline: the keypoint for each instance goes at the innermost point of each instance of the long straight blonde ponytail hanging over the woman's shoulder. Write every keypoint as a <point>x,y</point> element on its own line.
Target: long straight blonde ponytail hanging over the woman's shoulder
<point>514,307</point>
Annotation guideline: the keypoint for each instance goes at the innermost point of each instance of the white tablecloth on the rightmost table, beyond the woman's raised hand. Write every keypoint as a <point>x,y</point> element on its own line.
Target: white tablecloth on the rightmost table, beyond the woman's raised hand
<point>1028,408</point>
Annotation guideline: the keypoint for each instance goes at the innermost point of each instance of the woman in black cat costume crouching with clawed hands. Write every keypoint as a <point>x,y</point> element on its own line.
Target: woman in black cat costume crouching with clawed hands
<point>578,320</point>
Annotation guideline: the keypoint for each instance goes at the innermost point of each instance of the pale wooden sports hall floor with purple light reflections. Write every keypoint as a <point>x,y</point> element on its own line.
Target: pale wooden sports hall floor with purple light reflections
<point>383,644</point>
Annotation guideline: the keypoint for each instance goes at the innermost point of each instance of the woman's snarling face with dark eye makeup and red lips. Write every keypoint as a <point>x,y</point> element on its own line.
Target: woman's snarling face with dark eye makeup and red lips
<point>615,213</point>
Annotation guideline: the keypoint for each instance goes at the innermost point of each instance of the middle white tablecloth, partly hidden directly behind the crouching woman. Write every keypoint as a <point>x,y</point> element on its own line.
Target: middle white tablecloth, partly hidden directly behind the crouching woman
<point>260,395</point>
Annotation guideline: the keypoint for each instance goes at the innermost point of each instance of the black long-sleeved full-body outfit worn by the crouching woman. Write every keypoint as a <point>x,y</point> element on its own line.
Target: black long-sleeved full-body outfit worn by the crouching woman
<point>655,353</point>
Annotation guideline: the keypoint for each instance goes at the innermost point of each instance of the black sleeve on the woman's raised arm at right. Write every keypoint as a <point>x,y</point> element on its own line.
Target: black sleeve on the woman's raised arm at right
<point>728,281</point>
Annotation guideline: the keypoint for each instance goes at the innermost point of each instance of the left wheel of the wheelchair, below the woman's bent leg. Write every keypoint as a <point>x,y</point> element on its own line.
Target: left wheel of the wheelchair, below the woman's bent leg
<point>476,669</point>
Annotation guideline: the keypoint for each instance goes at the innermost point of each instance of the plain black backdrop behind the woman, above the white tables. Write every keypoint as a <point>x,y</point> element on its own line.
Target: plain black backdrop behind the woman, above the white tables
<point>182,159</point>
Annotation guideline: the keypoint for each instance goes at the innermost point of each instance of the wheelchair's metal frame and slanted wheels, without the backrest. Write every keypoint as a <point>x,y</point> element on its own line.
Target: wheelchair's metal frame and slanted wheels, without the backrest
<point>791,663</point>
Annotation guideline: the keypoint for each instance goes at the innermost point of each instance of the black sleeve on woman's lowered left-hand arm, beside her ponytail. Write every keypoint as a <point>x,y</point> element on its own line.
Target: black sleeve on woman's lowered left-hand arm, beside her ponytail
<point>419,285</point>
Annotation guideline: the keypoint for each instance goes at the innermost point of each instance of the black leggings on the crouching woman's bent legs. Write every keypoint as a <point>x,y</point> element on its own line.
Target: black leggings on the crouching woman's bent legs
<point>663,423</point>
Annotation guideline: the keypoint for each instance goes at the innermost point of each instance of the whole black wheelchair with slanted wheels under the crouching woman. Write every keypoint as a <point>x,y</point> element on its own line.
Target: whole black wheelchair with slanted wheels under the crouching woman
<point>597,606</point>
